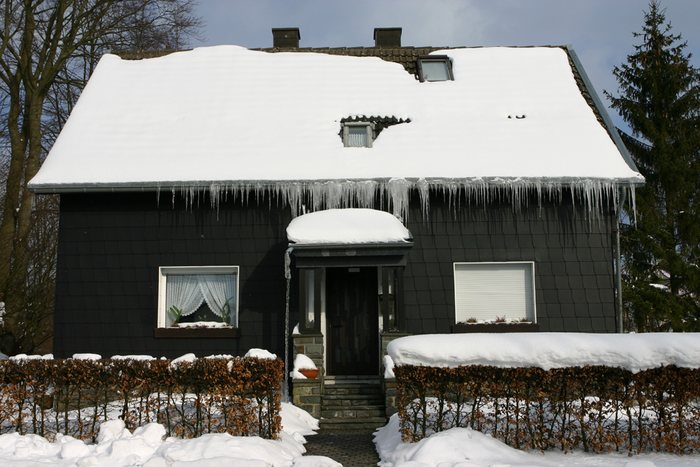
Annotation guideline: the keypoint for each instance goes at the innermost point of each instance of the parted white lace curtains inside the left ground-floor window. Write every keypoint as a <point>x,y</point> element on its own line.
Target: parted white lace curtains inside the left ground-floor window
<point>187,292</point>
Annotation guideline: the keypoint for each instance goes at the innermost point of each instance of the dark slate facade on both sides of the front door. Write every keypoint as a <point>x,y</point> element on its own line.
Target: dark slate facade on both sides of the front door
<point>111,245</point>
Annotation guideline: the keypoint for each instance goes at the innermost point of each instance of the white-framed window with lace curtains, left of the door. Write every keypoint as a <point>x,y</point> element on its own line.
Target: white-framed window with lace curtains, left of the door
<point>198,297</point>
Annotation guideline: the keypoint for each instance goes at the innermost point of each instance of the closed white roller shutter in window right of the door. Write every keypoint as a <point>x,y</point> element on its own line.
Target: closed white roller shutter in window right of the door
<point>487,291</point>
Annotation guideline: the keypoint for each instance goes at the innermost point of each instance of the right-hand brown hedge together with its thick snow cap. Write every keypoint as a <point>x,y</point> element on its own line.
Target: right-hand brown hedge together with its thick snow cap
<point>598,393</point>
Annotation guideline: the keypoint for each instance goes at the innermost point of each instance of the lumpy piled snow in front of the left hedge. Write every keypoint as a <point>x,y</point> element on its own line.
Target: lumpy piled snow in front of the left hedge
<point>146,446</point>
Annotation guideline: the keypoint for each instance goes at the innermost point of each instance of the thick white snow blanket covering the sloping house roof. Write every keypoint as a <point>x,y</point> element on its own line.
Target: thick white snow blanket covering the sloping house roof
<point>226,114</point>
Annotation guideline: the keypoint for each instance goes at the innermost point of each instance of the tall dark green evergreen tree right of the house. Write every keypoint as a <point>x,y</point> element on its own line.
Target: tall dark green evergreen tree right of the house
<point>659,98</point>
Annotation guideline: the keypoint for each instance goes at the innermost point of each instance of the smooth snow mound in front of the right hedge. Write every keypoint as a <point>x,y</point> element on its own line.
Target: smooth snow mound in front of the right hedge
<point>464,447</point>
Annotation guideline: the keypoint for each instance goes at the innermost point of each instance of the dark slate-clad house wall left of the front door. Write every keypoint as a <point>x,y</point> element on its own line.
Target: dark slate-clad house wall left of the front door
<point>110,248</point>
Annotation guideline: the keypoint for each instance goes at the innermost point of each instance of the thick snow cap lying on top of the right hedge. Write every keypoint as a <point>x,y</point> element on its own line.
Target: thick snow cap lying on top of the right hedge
<point>634,352</point>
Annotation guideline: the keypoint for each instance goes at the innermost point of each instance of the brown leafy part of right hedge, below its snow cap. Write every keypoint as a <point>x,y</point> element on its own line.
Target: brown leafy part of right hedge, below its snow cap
<point>593,408</point>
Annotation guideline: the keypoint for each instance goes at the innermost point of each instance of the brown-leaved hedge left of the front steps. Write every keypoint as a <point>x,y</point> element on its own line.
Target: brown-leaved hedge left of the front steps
<point>240,396</point>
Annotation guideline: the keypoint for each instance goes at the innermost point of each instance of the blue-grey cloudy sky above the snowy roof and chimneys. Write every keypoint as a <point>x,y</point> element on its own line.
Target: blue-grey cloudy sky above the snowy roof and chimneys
<point>599,30</point>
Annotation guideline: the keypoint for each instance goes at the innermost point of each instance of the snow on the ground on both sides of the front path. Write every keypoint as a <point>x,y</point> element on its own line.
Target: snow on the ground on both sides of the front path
<point>146,446</point>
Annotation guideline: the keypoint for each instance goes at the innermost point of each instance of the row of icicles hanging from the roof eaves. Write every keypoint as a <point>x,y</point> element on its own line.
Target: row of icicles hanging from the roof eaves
<point>393,195</point>
